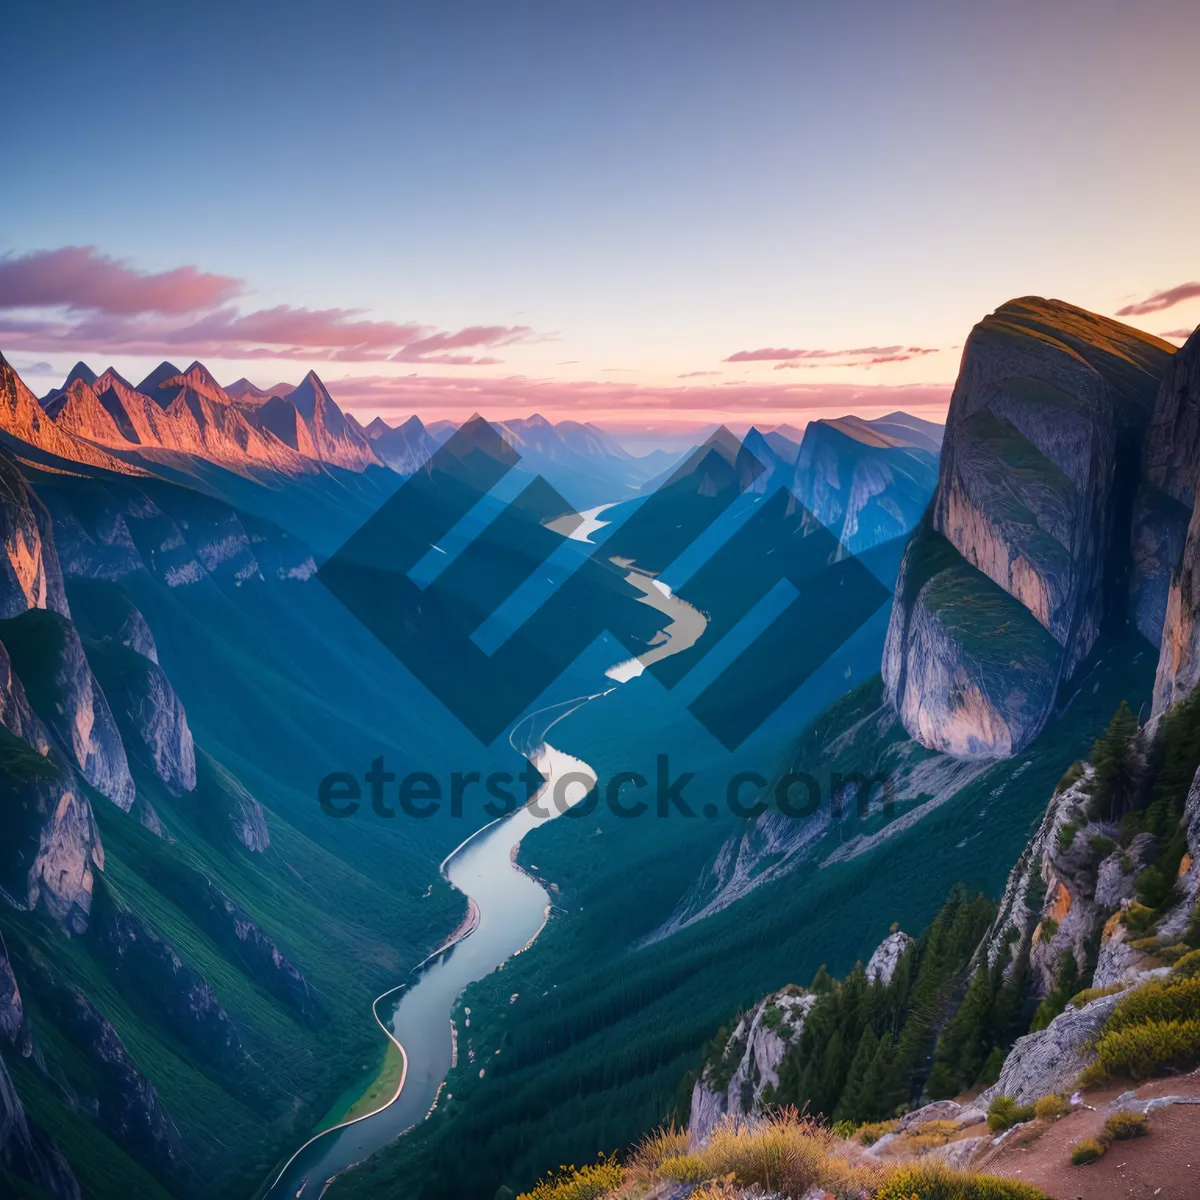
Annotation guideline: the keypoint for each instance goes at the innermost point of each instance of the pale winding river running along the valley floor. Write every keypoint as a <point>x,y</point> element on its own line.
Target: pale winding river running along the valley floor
<point>508,910</point>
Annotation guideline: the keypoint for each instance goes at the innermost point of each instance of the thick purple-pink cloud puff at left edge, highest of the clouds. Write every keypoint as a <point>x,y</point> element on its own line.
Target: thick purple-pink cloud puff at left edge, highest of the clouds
<point>81,278</point>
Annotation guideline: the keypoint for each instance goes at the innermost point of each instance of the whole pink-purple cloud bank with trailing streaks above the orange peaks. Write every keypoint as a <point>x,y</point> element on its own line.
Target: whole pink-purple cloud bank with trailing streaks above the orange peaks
<point>77,299</point>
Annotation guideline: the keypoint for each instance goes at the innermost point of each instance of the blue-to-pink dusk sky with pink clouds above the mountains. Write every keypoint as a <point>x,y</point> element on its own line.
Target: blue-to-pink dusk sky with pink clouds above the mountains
<point>623,213</point>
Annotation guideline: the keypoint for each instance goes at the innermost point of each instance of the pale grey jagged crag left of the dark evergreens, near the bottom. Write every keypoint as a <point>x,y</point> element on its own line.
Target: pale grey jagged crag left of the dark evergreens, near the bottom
<point>747,1072</point>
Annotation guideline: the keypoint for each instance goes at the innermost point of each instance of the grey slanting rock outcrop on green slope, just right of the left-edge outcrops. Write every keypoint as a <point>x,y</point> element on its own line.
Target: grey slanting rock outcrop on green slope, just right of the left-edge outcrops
<point>148,712</point>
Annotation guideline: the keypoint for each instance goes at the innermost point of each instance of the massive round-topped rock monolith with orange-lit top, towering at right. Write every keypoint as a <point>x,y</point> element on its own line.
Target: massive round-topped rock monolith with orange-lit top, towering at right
<point>1039,467</point>
